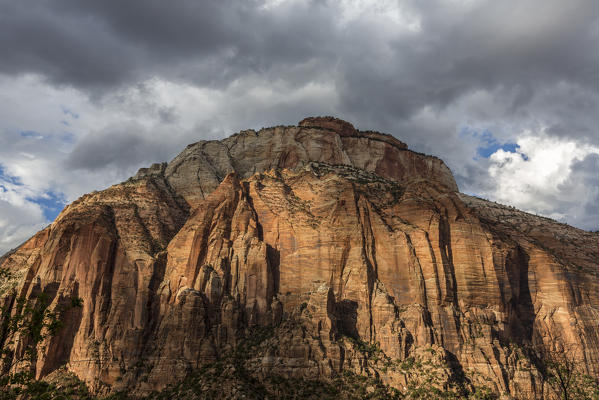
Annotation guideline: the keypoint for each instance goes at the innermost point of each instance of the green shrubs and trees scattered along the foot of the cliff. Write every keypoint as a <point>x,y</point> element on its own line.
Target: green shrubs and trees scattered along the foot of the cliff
<point>233,377</point>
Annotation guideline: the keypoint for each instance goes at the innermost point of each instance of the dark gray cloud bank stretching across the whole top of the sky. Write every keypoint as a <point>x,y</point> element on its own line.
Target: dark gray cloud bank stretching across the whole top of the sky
<point>382,74</point>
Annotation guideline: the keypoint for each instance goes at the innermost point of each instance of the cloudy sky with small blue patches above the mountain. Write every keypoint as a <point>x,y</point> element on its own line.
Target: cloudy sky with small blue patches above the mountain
<point>505,92</point>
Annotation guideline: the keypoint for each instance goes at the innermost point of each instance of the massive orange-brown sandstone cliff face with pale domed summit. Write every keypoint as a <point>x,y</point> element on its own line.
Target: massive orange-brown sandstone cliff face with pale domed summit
<point>359,254</point>
